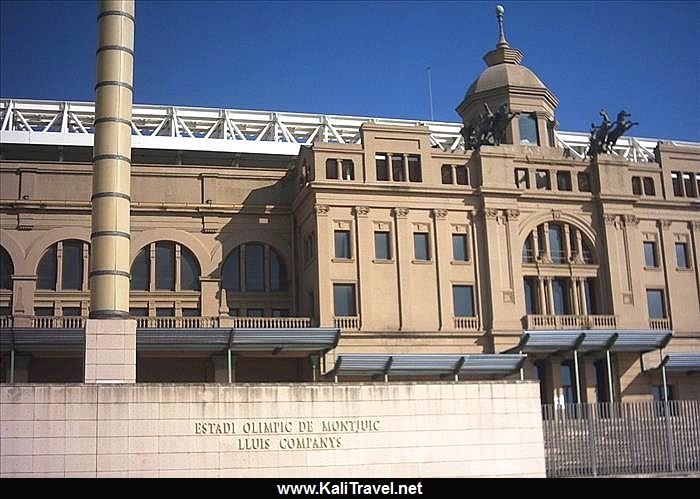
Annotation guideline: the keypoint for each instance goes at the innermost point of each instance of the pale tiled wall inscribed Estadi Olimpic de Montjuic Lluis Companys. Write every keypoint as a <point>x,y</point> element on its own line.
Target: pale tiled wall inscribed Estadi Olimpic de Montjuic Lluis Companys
<point>406,429</point>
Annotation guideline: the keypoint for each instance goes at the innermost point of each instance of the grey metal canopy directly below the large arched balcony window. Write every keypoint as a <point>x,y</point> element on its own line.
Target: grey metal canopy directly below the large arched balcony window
<point>614,340</point>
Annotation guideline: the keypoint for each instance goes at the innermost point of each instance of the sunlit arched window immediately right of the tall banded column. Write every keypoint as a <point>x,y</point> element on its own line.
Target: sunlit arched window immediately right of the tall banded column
<point>165,258</point>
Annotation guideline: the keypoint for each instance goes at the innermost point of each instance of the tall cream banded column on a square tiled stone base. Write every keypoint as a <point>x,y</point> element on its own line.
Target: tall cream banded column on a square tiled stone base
<point>110,338</point>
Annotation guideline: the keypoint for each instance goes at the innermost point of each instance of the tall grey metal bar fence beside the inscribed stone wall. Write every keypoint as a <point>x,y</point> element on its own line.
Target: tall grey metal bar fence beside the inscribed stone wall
<point>621,438</point>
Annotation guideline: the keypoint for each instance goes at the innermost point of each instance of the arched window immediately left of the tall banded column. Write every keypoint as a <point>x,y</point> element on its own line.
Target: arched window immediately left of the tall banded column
<point>70,258</point>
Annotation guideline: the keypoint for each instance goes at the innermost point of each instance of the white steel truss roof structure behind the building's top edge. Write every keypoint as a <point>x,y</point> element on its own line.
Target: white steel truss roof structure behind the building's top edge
<point>67,123</point>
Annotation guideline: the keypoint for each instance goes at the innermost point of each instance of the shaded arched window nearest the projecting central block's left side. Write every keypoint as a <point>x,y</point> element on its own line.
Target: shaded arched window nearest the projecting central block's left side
<point>253,267</point>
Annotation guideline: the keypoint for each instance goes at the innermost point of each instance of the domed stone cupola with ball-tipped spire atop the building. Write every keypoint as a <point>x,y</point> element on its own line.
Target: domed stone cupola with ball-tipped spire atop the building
<point>506,82</point>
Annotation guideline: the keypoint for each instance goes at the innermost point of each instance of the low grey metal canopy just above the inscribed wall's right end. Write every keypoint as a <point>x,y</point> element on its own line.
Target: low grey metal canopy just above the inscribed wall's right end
<point>385,365</point>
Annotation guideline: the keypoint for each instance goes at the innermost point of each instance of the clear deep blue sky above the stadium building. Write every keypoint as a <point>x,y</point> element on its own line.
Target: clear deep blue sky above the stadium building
<point>370,58</point>
